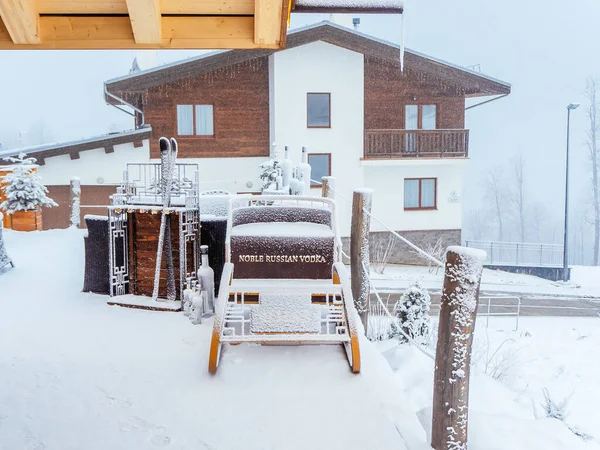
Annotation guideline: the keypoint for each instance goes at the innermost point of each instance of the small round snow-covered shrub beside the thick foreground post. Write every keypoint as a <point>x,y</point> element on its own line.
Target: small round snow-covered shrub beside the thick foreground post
<point>412,310</point>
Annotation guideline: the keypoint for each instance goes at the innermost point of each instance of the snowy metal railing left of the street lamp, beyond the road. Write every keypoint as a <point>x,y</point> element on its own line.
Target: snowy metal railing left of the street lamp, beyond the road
<point>520,253</point>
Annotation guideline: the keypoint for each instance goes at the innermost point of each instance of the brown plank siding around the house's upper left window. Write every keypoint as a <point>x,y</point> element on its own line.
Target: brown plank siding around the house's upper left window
<point>240,98</point>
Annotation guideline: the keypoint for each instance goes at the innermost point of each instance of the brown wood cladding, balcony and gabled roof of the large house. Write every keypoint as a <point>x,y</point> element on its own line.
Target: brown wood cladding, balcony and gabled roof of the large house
<point>236,83</point>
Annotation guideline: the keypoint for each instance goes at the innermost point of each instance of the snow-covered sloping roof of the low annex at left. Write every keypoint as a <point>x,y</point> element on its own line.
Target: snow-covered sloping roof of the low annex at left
<point>106,141</point>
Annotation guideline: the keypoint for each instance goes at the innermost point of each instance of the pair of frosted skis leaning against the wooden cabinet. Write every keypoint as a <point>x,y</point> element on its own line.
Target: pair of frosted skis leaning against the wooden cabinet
<point>168,157</point>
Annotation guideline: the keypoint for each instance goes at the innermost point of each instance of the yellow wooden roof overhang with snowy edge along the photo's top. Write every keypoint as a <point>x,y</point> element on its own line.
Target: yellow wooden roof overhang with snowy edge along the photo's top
<point>175,24</point>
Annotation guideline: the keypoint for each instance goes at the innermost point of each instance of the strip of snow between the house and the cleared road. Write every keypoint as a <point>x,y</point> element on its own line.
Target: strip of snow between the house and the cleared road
<point>585,281</point>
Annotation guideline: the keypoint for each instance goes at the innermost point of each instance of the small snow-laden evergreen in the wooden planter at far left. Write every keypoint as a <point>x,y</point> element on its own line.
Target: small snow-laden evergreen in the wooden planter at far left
<point>24,189</point>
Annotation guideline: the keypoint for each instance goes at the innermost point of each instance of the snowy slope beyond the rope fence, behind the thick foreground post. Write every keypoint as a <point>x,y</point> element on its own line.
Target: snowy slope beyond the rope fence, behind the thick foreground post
<point>511,368</point>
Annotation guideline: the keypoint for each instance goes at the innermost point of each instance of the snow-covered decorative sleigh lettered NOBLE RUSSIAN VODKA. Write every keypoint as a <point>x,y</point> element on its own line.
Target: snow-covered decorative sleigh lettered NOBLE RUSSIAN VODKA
<point>284,282</point>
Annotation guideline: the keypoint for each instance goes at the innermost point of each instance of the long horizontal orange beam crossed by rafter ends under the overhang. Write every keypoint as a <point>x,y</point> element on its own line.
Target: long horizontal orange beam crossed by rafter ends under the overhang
<point>98,32</point>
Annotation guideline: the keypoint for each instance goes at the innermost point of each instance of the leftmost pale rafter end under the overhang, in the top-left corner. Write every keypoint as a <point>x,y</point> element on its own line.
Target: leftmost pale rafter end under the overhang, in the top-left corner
<point>21,20</point>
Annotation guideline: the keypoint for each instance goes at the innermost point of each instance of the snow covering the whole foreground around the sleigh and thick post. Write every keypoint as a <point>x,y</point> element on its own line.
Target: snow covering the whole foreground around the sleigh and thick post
<point>76,373</point>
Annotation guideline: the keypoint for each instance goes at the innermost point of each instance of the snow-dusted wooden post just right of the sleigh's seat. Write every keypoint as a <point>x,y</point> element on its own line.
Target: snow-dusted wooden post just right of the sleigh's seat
<point>359,251</point>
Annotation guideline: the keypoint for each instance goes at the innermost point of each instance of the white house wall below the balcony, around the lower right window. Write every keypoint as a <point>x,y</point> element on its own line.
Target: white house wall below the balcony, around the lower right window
<point>387,181</point>
